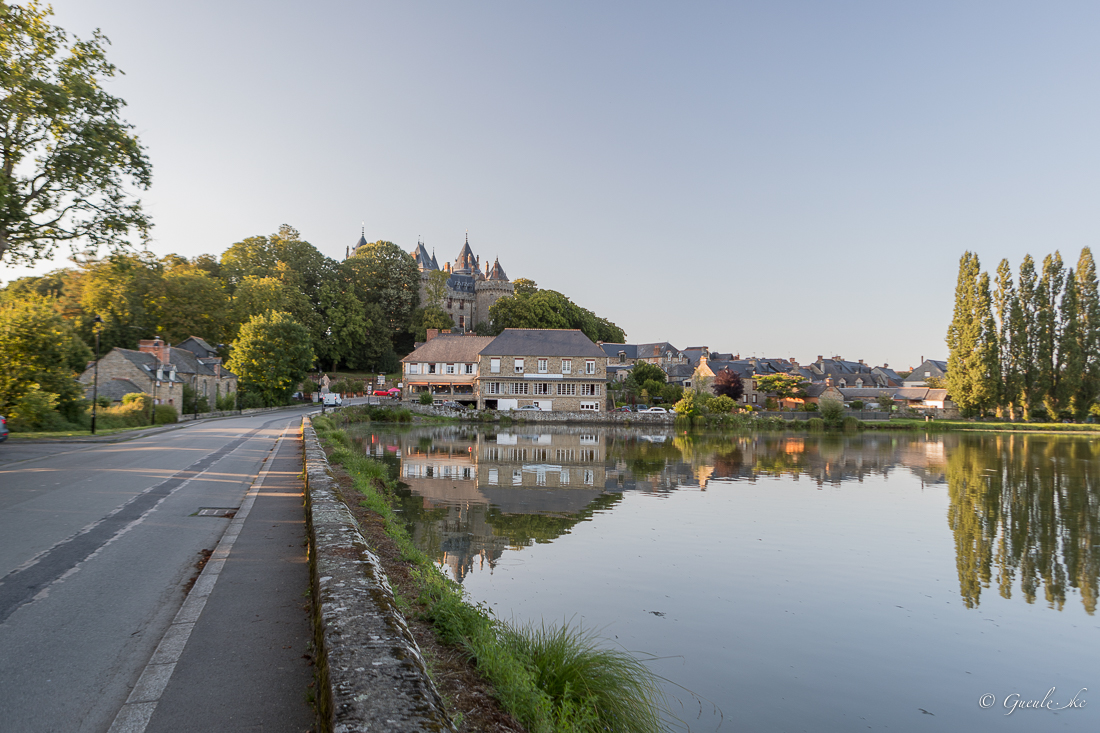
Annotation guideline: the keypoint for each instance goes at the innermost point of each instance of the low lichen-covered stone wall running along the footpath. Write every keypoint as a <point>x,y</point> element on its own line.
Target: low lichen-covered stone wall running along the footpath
<point>371,674</point>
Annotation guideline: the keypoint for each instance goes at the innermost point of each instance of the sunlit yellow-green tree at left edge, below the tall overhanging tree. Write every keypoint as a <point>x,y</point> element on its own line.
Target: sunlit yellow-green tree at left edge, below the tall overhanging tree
<point>40,355</point>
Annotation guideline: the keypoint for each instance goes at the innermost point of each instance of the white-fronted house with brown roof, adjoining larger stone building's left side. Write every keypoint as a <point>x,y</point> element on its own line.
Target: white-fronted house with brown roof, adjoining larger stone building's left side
<point>446,366</point>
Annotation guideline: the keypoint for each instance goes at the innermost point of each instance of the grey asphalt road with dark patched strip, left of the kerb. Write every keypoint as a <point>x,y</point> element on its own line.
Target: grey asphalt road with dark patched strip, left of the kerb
<point>98,544</point>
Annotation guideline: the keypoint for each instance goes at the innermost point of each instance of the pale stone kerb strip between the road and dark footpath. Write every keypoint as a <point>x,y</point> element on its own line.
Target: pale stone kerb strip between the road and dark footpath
<point>138,710</point>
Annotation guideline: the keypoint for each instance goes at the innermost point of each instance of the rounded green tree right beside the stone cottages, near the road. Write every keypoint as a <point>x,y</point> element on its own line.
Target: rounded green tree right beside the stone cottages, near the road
<point>272,355</point>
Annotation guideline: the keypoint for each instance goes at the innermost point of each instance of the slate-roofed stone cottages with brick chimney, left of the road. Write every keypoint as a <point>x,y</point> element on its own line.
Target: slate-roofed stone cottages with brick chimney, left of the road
<point>161,371</point>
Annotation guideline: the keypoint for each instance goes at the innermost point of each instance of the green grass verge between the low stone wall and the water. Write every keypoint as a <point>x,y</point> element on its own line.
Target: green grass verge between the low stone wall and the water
<point>552,679</point>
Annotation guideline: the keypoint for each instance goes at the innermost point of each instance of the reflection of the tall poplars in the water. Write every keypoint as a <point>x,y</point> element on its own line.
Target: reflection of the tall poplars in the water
<point>1026,507</point>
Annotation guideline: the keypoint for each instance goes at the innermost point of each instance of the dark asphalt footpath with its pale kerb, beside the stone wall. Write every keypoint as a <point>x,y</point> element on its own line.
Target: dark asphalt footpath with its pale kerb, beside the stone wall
<point>235,658</point>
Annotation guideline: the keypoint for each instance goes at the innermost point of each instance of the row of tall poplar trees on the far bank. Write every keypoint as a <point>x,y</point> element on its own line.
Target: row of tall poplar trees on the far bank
<point>1028,349</point>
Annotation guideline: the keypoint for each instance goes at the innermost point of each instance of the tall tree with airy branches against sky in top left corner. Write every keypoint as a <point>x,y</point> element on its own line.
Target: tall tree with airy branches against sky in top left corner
<point>68,159</point>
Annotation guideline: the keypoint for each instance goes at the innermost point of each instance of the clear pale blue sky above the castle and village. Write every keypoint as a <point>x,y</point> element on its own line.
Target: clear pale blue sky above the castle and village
<point>783,179</point>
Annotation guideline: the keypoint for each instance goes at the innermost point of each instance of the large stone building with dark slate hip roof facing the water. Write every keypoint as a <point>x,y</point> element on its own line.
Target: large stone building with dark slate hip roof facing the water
<point>559,370</point>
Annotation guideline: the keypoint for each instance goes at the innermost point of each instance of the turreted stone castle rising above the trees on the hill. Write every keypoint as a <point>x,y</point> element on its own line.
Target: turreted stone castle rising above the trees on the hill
<point>470,292</point>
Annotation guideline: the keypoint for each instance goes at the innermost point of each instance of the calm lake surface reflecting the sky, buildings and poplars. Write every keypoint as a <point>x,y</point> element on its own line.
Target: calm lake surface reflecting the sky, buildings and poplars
<point>788,583</point>
